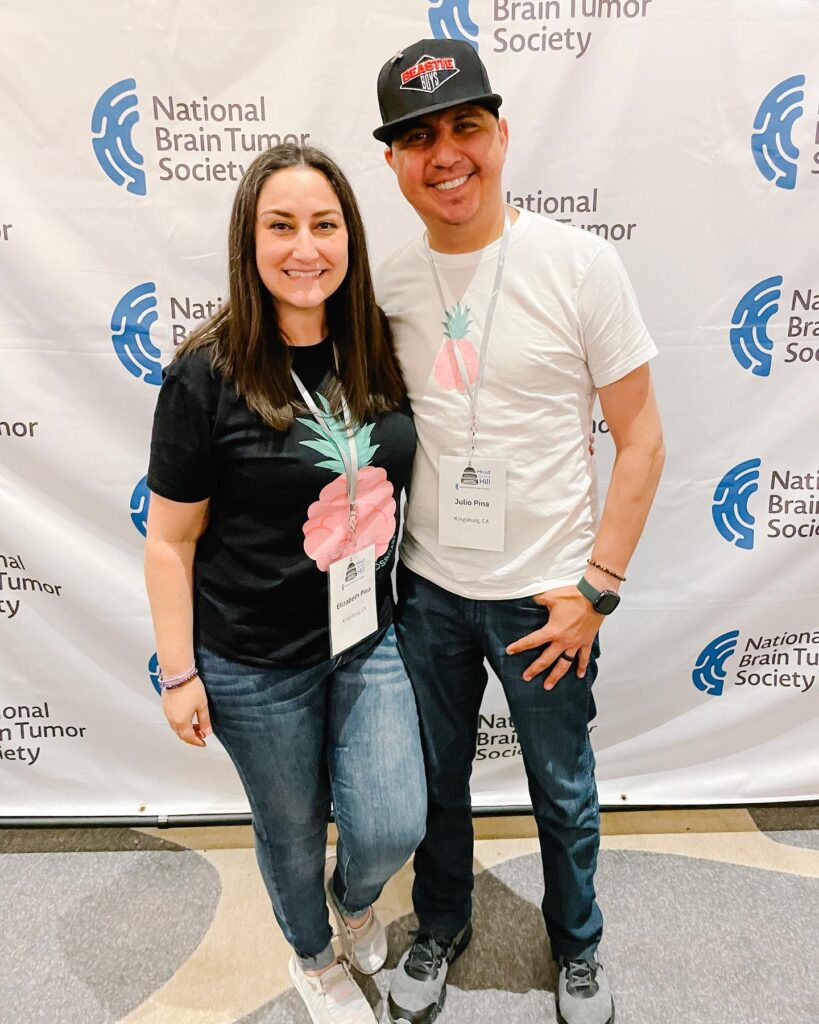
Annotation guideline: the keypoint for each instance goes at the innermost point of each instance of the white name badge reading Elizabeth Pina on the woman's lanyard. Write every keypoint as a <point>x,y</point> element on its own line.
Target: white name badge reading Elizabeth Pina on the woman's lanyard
<point>354,612</point>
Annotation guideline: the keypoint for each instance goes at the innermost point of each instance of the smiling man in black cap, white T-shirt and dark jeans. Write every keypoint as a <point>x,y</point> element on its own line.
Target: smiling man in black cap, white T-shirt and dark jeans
<point>503,557</point>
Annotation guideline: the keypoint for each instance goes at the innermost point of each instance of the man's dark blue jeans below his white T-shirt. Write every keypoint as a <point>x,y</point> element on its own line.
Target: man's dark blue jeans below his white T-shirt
<point>444,641</point>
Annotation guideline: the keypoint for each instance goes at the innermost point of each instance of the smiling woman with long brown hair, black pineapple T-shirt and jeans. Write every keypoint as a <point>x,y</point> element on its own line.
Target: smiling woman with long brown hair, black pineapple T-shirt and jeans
<point>282,442</point>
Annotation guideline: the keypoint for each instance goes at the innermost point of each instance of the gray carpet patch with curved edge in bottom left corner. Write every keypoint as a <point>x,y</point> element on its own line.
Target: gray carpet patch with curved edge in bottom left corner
<point>87,937</point>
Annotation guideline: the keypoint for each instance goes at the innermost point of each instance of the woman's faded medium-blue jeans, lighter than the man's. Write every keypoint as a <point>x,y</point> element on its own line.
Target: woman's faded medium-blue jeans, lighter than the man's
<point>347,732</point>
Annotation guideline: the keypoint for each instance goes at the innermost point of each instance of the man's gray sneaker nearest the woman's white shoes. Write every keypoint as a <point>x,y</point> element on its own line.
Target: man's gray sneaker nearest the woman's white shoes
<point>418,990</point>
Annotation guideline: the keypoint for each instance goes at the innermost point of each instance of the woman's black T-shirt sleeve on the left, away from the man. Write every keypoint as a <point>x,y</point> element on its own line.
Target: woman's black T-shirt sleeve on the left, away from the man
<point>182,458</point>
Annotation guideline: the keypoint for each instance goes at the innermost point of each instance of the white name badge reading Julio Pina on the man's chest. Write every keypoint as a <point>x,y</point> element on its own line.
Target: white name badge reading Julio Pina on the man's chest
<point>471,502</point>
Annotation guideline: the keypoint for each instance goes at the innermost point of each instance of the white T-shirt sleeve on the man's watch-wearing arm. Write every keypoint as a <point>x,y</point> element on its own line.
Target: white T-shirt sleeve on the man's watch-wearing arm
<point>615,337</point>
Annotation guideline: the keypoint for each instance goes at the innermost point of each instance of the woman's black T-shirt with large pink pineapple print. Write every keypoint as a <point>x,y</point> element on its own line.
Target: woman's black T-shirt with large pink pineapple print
<point>261,596</point>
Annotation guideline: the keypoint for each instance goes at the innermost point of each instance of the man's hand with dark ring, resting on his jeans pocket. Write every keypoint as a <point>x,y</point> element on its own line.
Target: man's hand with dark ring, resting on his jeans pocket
<point>571,631</point>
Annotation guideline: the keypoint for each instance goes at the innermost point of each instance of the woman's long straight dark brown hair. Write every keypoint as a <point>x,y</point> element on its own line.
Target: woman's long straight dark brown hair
<point>247,346</point>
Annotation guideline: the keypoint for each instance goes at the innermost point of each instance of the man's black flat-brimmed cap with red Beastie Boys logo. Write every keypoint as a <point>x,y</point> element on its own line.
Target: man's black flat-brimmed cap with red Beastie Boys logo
<point>430,76</point>
